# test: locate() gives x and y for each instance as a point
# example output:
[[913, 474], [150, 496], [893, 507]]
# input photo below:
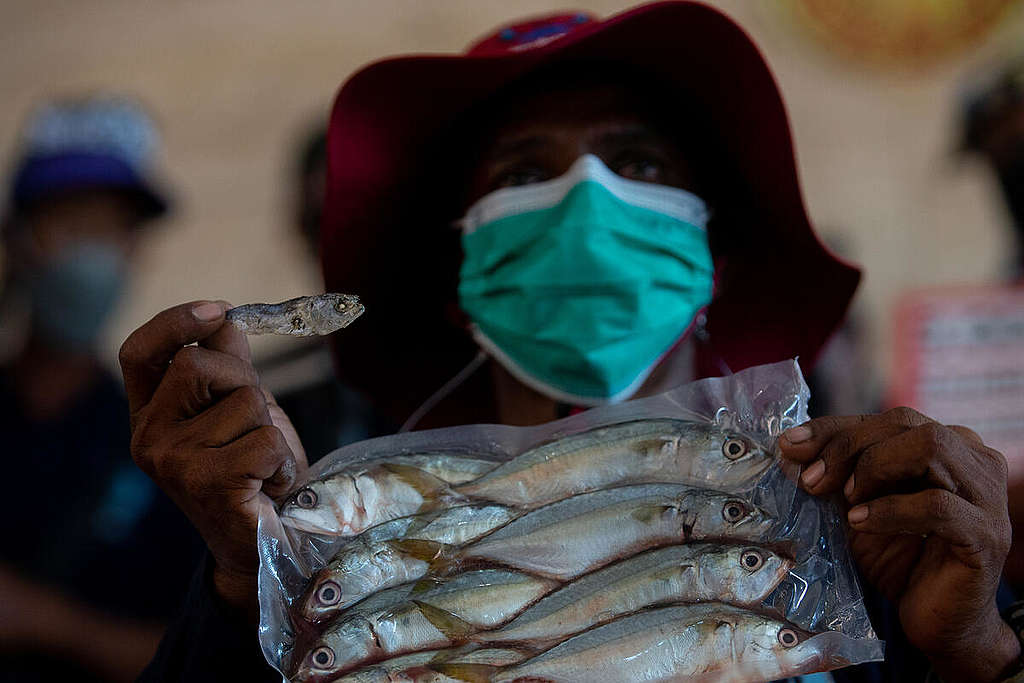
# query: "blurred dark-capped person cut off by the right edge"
[[994, 129]]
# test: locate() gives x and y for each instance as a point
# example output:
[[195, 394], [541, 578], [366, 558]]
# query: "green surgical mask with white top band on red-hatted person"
[[579, 286]]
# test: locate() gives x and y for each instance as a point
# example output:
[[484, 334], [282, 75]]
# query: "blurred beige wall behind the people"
[[234, 82]]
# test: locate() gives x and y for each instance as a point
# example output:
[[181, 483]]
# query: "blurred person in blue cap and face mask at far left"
[[93, 554]]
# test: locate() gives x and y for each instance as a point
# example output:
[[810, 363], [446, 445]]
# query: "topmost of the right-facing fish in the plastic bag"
[[639, 452]]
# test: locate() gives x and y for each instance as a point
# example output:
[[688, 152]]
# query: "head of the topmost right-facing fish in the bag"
[[718, 457]]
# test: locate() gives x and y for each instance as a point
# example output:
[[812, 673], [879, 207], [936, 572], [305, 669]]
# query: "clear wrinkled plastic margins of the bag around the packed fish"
[[821, 594]]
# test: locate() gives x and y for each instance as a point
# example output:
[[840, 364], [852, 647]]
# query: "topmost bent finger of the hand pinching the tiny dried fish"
[[148, 352]]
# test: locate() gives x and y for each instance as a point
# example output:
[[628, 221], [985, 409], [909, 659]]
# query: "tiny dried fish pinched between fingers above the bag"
[[303, 317]]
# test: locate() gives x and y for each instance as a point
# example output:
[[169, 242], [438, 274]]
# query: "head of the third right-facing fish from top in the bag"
[[744, 575]]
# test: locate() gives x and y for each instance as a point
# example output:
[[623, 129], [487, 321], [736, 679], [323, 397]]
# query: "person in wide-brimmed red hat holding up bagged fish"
[[572, 214]]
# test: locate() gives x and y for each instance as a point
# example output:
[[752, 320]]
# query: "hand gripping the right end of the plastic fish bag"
[[929, 528]]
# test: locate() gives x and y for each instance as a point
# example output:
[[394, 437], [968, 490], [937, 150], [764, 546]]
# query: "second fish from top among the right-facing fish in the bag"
[[573, 537]]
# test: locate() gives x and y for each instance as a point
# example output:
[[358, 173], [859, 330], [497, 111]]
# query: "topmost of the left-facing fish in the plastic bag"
[[378, 491]]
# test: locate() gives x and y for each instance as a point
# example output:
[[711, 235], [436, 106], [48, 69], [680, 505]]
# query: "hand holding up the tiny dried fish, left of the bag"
[[208, 436]]
